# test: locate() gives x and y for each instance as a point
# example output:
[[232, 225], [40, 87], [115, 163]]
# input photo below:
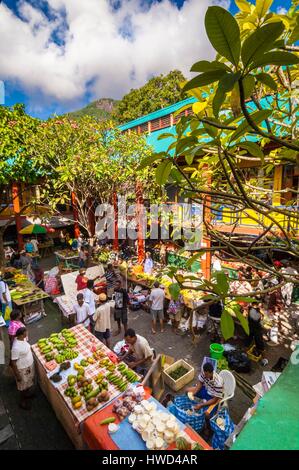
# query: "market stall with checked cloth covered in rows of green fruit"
[[78, 375]]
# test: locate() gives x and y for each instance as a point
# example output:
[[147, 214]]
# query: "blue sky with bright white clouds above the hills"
[[58, 55]]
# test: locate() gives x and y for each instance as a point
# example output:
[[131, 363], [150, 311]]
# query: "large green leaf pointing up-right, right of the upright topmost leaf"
[[260, 41]]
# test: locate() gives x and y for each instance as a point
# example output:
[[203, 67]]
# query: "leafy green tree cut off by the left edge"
[[15, 162]]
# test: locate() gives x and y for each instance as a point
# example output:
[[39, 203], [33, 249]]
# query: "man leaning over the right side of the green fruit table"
[[140, 355]]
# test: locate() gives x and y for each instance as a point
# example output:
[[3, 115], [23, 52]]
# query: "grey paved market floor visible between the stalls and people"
[[40, 429]]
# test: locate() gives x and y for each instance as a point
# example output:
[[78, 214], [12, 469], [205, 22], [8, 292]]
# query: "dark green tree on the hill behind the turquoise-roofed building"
[[157, 93]]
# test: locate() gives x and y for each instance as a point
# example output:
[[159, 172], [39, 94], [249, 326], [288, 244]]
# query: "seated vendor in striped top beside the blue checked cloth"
[[209, 388]]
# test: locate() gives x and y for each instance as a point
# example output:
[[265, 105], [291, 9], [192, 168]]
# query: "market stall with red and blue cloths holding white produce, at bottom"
[[139, 423]]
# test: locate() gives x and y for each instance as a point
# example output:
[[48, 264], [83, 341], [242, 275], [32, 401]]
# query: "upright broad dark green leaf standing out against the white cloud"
[[224, 33]]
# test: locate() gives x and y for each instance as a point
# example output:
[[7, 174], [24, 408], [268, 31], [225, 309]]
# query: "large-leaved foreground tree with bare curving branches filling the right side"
[[247, 109]]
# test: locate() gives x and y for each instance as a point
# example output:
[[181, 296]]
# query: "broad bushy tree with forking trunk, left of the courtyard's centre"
[[90, 159]]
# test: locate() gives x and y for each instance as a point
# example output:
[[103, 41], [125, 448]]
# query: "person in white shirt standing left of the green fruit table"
[[23, 367]]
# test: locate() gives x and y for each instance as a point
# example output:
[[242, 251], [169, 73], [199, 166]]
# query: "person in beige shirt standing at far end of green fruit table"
[[102, 319]]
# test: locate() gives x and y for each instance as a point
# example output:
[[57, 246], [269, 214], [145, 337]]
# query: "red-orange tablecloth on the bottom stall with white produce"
[[97, 437]]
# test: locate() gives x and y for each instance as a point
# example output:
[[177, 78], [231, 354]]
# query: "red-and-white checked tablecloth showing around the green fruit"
[[70, 418]]
